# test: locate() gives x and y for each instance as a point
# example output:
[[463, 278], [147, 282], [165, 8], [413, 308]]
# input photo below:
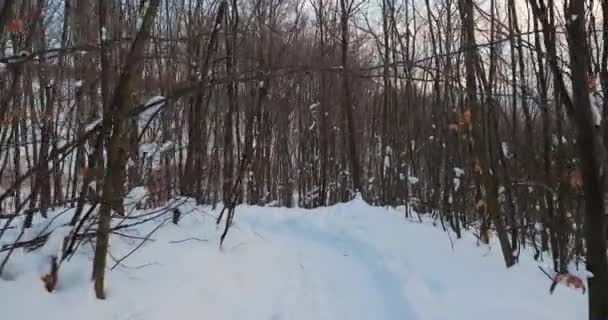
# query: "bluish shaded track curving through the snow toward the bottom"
[[374, 291]]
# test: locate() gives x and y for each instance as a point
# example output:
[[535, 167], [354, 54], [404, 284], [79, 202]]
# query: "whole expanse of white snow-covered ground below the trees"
[[349, 261]]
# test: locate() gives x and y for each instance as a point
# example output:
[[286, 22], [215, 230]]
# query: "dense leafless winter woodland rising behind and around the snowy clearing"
[[486, 115]]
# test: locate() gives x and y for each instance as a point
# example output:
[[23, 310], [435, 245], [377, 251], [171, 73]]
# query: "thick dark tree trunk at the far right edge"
[[593, 158]]
